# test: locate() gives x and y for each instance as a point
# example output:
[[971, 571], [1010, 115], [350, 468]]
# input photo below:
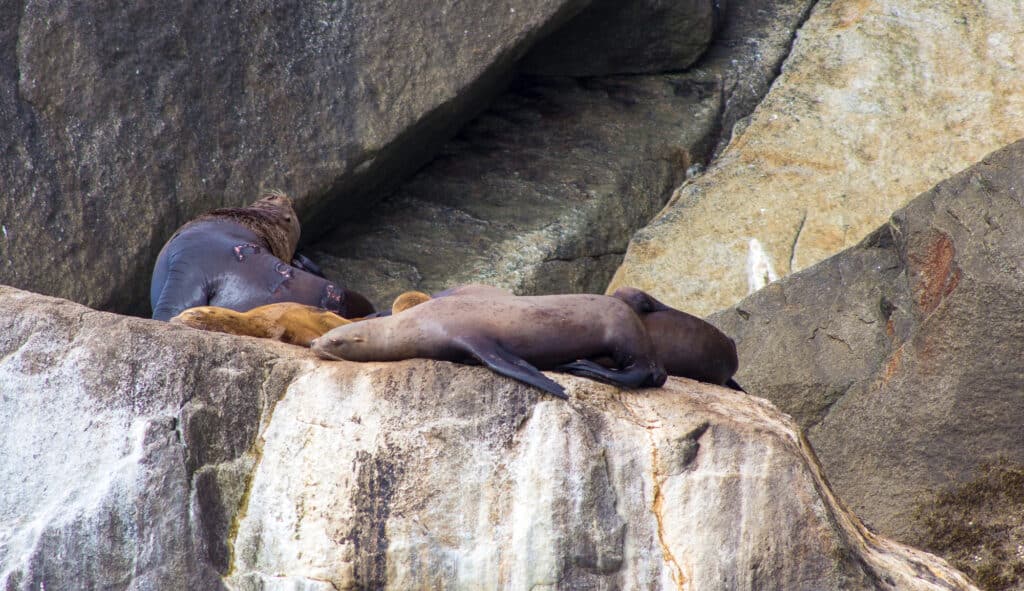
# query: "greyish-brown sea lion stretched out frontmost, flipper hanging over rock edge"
[[515, 336]]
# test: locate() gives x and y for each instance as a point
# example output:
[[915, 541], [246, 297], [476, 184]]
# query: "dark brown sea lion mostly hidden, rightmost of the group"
[[685, 345]]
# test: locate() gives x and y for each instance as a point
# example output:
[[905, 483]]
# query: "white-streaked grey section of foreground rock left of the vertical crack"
[[108, 426]]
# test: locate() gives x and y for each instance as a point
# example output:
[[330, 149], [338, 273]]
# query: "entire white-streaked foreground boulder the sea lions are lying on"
[[141, 455]]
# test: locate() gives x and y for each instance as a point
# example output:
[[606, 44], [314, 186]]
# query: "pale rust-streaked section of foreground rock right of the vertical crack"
[[446, 478]]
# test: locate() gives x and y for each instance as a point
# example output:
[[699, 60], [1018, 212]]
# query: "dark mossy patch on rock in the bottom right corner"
[[979, 526]]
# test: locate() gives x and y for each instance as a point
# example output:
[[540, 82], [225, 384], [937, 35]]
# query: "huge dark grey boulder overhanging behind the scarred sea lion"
[[122, 122]]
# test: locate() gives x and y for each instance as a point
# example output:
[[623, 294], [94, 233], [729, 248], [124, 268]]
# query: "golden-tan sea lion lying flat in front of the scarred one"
[[287, 322]]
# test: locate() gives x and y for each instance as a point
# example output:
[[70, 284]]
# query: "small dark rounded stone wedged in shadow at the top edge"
[[633, 37]]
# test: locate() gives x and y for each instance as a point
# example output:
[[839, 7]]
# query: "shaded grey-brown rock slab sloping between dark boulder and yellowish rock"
[[542, 193]]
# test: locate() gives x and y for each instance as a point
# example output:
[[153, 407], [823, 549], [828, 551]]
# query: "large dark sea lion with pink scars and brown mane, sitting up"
[[235, 259]]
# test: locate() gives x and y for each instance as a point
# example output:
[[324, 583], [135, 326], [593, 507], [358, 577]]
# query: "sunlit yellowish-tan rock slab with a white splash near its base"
[[876, 104]]
